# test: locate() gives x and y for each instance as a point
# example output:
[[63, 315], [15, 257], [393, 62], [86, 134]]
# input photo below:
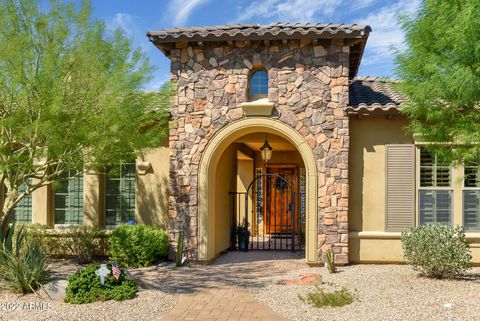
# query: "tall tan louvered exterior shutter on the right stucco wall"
[[400, 187]]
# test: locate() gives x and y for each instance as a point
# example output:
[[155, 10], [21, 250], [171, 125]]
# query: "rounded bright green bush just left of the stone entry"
[[138, 245]]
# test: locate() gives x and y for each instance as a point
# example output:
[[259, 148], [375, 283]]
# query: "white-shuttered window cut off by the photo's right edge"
[[471, 197]]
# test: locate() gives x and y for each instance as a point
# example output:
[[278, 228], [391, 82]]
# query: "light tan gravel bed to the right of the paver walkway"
[[385, 292]]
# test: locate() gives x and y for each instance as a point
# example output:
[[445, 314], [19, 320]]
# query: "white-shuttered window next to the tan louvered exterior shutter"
[[435, 191]]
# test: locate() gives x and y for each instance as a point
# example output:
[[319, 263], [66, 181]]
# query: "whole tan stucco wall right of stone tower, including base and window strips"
[[368, 241]]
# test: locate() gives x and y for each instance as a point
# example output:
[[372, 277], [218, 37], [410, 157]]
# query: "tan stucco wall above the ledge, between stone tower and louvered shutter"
[[369, 136]]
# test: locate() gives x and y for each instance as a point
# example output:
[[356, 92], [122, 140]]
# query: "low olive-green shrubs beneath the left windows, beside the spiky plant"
[[78, 241]]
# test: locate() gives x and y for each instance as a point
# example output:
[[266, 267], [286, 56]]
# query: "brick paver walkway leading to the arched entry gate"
[[219, 292]]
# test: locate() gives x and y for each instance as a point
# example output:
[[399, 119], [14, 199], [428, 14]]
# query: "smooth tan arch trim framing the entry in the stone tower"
[[206, 178]]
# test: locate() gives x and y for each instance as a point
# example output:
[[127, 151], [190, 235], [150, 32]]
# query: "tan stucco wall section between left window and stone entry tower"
[[152, 189]]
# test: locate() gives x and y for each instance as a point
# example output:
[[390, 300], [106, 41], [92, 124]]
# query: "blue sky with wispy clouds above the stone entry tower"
[[138, 17]]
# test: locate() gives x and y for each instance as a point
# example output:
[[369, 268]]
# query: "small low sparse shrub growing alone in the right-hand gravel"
[[320, 298]]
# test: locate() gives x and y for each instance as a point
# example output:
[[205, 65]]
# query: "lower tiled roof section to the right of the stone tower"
[[371, 94]]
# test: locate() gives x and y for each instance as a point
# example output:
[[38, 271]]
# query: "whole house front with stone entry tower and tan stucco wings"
[[271, 130]]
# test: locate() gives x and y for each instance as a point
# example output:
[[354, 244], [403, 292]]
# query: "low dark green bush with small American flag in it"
[[84, 286]]
